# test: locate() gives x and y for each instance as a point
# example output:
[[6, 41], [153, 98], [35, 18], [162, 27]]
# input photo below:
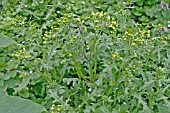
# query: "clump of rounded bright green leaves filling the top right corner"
[[151, 11]]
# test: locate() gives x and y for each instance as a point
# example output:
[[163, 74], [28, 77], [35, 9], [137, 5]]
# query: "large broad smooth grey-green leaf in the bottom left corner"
[[11, 104]]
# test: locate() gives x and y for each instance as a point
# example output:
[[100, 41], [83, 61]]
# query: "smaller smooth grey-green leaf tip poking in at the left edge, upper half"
[[5, 41]]
